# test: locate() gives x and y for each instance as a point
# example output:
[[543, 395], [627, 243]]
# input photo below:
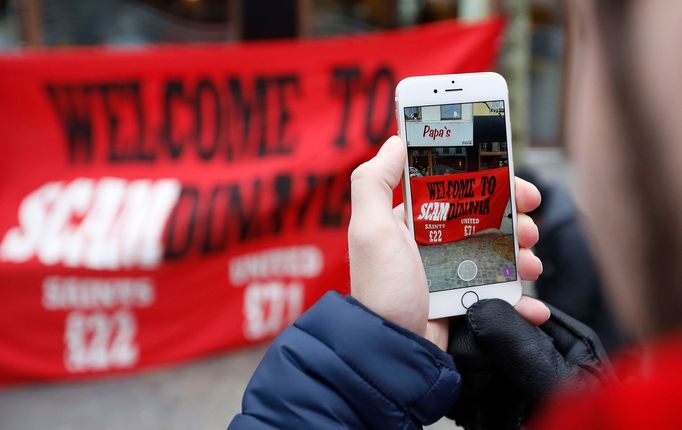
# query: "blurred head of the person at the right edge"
[[624, 131]]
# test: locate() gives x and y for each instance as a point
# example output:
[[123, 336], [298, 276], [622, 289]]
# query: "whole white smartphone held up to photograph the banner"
[[458, 187]]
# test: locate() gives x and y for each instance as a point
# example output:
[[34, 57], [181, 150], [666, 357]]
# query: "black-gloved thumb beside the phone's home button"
[[518, 349]]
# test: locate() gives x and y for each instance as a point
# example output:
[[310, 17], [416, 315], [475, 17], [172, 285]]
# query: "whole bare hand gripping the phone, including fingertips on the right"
[[386, 270]]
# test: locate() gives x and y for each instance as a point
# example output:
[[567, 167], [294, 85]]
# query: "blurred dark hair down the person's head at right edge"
[[662, 244]]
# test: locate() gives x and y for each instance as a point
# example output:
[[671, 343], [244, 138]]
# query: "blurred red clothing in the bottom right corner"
[[648, 398]]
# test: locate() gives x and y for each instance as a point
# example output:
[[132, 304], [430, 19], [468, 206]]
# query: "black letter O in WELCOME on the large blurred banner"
[[206, 98]]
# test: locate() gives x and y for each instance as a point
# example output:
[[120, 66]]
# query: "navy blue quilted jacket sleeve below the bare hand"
[[342, 366]]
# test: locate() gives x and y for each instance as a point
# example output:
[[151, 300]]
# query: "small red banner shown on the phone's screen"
[[447, 208]]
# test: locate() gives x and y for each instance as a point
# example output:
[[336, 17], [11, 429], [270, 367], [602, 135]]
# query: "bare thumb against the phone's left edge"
[[372, 182]]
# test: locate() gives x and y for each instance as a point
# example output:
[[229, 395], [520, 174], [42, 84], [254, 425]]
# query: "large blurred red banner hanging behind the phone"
[[164, 203]]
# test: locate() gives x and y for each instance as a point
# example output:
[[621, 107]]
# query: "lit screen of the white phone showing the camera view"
[[461, 193]]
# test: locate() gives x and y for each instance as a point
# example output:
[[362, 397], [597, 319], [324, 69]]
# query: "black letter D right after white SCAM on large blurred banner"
[[183, 218]]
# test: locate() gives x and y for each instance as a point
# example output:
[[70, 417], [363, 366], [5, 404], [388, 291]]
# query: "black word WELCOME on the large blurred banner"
[[204, 116]]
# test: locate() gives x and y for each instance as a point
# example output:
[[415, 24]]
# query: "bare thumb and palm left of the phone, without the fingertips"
[[386, 272]]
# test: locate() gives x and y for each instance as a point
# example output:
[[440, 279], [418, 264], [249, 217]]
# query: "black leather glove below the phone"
[[509, 366]]
